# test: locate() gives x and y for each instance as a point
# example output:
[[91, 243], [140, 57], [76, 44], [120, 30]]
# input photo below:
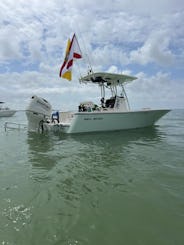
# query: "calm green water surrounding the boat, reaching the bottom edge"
[[108, 188]]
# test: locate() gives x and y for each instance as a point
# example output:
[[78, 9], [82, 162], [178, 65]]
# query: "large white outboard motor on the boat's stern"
[[38, 111]]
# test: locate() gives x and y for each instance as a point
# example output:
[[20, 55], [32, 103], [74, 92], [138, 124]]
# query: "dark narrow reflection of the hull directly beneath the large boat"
[[116, 141]]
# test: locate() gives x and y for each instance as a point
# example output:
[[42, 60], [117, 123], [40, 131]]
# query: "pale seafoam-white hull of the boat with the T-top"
[[84, 122]]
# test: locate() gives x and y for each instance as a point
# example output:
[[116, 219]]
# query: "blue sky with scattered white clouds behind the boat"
[[138, 37]]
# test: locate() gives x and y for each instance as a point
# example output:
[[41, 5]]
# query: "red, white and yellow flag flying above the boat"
[[72, 52]]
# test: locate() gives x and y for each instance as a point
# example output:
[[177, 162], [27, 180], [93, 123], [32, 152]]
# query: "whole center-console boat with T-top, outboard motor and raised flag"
[[112, 113]]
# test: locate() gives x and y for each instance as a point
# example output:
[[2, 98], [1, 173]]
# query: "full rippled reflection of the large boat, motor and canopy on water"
[[70, 159]]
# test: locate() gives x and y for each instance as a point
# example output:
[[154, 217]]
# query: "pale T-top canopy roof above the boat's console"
[[109, 78]]
